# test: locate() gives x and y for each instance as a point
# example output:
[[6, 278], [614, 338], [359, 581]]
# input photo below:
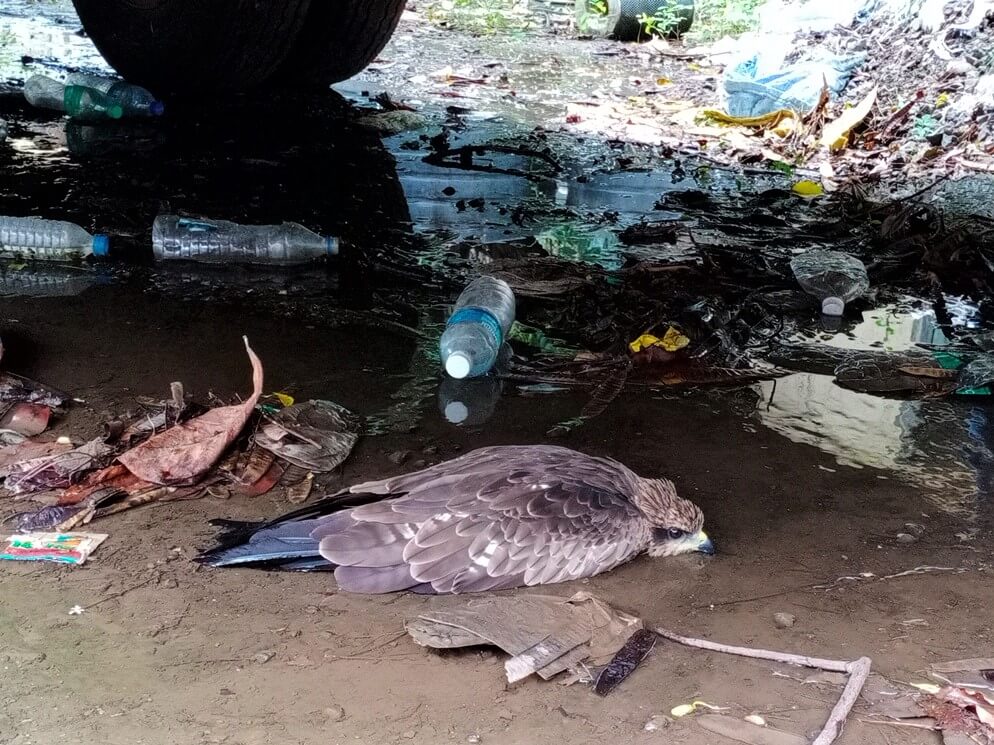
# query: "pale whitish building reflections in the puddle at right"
[[944, 446]]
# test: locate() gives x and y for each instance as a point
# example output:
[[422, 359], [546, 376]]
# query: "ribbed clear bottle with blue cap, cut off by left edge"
[[48, 240]]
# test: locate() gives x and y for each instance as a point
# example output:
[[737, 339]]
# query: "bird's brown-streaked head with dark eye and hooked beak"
[[677, 524]]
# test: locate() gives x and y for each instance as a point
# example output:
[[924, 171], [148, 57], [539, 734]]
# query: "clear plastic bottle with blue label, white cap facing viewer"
[[477, 328]]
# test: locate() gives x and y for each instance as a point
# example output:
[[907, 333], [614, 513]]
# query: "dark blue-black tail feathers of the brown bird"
[[283, 543]]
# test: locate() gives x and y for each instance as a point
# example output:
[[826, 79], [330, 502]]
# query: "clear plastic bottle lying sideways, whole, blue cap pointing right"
[[223, 242]]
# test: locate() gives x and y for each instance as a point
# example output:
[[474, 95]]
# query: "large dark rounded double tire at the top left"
[[226, 46]]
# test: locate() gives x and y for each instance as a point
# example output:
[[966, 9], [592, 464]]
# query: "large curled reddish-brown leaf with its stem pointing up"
[[187, 451]]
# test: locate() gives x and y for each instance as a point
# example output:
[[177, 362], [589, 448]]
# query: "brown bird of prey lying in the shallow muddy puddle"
[[495, 518]]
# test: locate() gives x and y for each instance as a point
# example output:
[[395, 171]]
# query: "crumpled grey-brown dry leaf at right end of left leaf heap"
[[316, 435]]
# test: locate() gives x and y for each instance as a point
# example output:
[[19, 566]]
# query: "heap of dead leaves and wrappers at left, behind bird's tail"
[[169, 450]]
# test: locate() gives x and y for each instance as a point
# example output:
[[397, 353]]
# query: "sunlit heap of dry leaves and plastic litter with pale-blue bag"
[[845, 93]]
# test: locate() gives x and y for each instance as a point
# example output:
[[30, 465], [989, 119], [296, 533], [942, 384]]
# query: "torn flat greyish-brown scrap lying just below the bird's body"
[[545, 635]]
